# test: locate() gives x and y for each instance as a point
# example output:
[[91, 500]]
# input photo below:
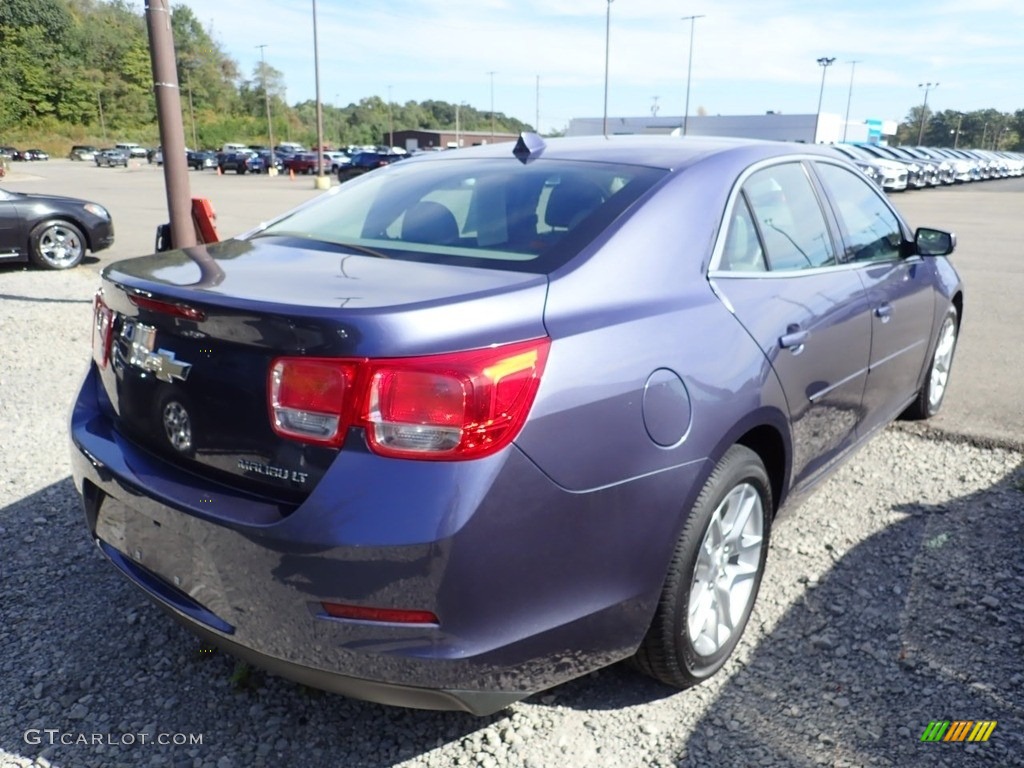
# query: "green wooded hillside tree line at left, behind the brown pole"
[[79, 72]]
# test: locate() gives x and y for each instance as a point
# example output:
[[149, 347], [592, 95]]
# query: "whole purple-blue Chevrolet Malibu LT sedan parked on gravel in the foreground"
[[485, 421]]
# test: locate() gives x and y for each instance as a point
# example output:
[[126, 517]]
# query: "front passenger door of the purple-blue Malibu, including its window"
[[900, 291]]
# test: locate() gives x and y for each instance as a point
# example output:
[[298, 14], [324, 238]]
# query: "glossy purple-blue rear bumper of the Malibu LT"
[[533, 585]]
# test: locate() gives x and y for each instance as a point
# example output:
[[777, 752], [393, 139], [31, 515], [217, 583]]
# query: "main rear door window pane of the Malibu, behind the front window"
[[789, 219]]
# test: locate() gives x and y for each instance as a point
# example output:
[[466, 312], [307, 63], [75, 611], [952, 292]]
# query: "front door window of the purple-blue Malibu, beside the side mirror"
[[871, 231]]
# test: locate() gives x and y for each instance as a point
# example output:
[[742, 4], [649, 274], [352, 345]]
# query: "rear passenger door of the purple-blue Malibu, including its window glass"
[[781, 276]]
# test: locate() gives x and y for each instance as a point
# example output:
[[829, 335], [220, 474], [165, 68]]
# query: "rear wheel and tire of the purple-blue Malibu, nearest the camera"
[[714, 576]]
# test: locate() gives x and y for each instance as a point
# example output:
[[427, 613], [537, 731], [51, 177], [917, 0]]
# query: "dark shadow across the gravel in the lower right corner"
[[923, 622]]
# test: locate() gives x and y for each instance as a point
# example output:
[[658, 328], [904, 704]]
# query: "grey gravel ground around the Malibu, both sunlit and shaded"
[[893, 598]]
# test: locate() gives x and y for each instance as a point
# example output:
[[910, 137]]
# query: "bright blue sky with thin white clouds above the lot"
[[544, 61]]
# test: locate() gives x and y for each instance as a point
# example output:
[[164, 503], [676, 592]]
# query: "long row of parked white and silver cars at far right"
[[900, 168]]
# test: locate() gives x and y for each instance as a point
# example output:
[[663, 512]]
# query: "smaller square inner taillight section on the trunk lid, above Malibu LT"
[[311, 399]]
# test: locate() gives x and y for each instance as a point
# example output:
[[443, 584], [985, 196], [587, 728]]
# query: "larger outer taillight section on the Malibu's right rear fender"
[[458, 406]]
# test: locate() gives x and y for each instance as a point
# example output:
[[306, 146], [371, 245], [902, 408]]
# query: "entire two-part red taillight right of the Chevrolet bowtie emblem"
[[446, 407]]
